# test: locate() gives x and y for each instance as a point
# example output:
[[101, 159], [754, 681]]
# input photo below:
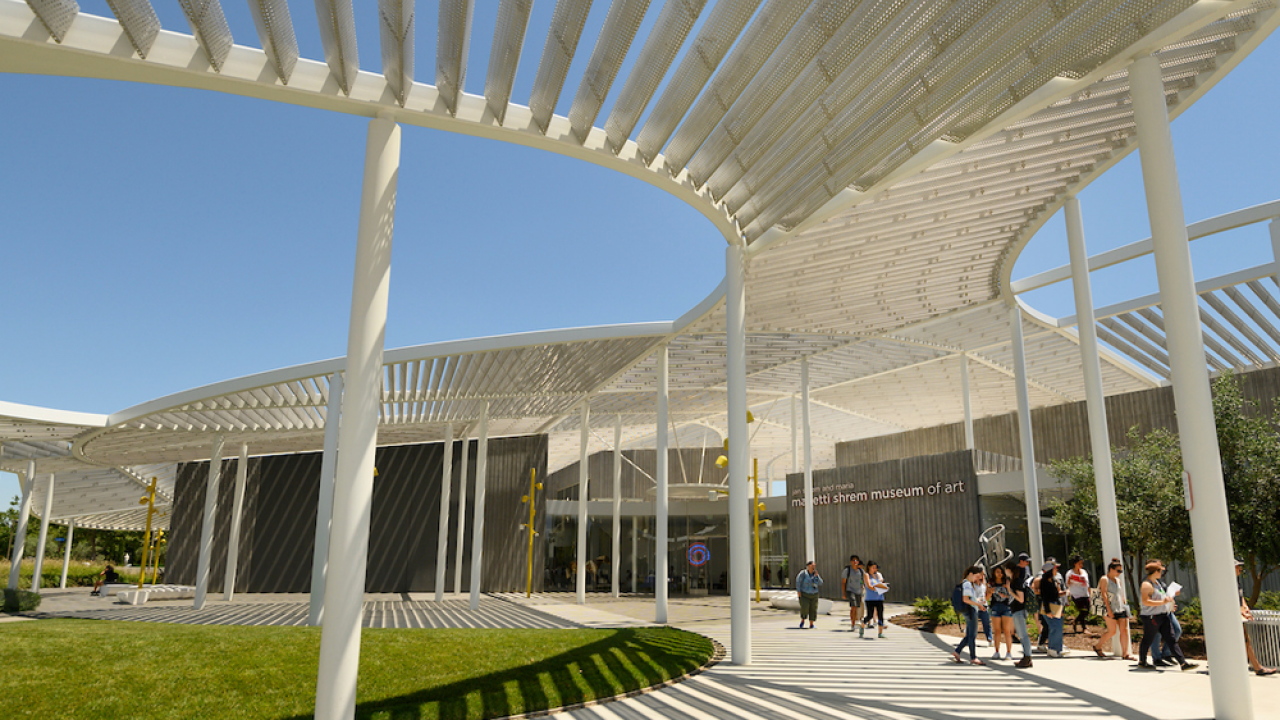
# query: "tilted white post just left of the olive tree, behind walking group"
[[1100, 443]]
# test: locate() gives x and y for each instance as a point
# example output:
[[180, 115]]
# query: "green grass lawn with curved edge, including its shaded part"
[[108, 669]]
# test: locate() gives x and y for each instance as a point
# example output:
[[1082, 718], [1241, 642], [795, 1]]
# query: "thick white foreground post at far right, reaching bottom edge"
[[1203, 464]]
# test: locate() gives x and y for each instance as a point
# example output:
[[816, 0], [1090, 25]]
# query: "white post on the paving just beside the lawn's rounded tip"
[[740, 496]]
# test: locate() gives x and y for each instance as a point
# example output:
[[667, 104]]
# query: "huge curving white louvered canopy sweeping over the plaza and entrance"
[[885, 162]]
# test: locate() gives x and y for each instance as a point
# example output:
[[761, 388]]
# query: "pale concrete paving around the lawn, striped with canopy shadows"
[[801, 675]]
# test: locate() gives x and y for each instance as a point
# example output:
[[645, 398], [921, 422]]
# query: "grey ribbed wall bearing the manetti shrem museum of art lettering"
[[922, 544]]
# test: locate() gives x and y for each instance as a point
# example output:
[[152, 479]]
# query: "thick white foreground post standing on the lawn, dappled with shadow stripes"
[[358, 434]]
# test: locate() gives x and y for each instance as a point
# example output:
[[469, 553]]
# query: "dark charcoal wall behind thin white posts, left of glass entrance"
[[281, 499]]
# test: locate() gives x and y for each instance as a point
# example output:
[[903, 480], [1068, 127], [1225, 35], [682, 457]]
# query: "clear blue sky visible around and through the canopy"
[[161, 239]]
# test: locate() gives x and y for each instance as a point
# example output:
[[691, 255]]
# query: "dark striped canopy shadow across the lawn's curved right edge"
[[629, 660]]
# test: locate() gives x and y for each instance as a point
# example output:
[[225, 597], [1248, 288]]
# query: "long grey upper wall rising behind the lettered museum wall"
[[1060, 431]]
